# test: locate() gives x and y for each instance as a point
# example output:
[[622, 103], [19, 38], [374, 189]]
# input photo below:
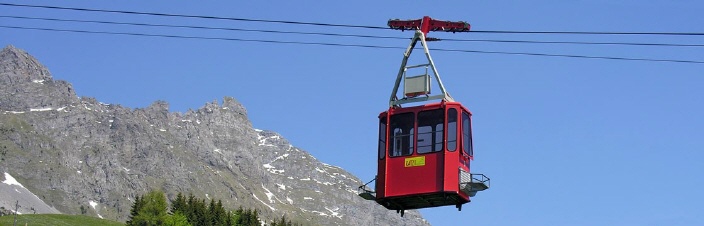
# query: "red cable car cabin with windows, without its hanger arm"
[[424, 153]]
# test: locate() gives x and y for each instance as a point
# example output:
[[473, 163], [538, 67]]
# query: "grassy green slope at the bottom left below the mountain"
[[56, 220]]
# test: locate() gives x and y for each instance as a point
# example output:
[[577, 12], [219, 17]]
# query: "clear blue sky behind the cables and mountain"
[[566, 141]]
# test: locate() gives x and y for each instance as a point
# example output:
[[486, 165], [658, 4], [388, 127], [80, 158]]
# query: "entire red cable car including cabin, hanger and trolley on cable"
[[424, 151]]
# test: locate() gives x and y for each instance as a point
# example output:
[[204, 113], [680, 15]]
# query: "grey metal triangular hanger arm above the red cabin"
[[394, 101]]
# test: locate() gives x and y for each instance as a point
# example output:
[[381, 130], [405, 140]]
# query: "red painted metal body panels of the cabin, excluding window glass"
[[436, 183]]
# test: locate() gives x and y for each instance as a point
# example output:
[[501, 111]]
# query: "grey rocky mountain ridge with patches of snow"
[[74, 152]]
